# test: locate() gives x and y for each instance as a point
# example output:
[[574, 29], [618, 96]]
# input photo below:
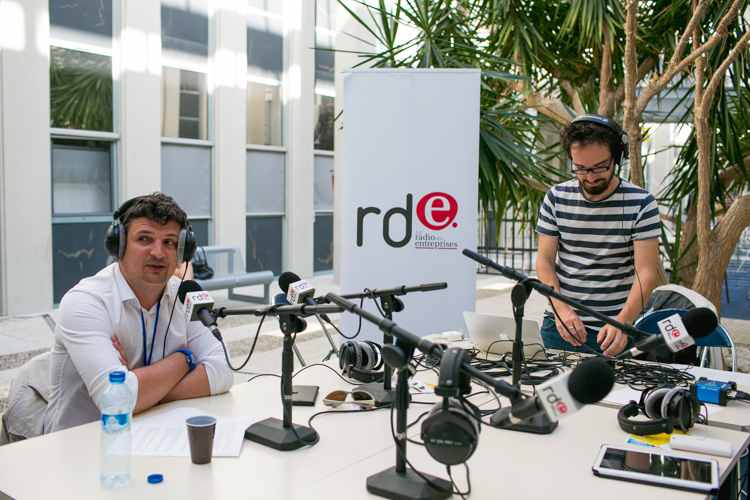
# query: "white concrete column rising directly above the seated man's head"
[[138, 113]]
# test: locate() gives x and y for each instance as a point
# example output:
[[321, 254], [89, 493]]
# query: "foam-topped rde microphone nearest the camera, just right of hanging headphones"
[[565, 394]]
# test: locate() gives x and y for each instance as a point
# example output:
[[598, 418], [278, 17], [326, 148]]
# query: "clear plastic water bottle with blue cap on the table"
[[114, 463]]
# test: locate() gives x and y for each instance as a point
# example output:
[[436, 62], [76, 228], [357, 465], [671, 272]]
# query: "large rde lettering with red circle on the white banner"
[[435, 211]]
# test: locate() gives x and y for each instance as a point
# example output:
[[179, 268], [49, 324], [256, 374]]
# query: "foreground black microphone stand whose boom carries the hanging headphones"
[[398, 482]]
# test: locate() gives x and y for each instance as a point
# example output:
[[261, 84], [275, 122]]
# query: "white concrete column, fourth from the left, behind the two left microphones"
[[299, 99]]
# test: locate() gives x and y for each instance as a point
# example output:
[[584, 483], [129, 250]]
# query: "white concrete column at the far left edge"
[[25, 169]]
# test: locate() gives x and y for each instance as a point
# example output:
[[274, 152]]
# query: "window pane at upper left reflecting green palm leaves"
[[80, 90]]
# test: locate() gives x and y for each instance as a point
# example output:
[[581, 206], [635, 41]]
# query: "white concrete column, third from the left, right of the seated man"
[[229, 76]]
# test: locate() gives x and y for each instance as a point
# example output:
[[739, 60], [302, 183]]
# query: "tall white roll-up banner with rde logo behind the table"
[[409, 192]]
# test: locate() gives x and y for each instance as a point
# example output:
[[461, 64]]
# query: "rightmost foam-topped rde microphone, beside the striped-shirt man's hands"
[[677, 333]]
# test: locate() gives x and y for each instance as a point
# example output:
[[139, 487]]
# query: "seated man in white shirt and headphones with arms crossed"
[[118, 320]]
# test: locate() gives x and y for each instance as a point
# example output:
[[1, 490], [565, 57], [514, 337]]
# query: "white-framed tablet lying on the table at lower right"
[[658, 467]]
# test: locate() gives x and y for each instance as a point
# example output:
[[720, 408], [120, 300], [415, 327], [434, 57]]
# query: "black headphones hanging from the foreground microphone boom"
[[451, 430]]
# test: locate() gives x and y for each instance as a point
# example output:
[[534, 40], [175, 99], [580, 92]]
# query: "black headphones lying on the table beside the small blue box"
[[669, 409]]
